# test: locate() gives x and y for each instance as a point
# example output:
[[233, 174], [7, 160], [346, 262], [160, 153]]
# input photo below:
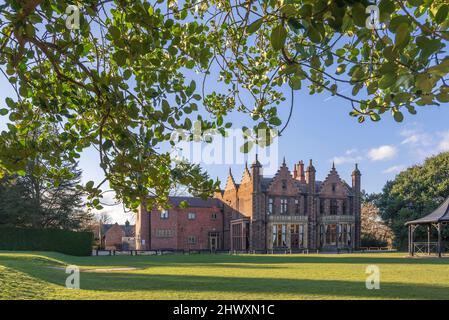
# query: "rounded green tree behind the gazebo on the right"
[[413, 194]]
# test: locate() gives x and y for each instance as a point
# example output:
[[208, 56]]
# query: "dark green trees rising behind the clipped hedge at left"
[[39, 200]]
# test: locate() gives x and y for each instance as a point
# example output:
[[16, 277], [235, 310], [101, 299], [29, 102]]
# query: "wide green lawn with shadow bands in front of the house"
[[40, 276]]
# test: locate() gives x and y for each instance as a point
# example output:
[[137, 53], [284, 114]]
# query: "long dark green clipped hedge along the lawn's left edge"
[[63, 241]]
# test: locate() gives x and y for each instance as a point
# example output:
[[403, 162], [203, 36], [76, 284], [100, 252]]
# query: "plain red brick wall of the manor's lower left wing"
[[179, 228]]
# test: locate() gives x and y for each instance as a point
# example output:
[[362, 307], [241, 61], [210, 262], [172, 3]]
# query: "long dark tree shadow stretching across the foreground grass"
[[266, 287]]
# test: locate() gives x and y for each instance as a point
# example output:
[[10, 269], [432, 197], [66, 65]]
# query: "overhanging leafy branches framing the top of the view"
[[118, 83]]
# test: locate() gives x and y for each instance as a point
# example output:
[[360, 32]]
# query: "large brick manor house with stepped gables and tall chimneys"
[[288, 211]]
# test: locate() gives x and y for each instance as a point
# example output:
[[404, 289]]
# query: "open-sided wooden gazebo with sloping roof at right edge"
[[436, 219]]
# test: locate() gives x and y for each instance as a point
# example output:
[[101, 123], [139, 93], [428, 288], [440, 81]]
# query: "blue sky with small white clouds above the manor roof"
[[321, 129]]
